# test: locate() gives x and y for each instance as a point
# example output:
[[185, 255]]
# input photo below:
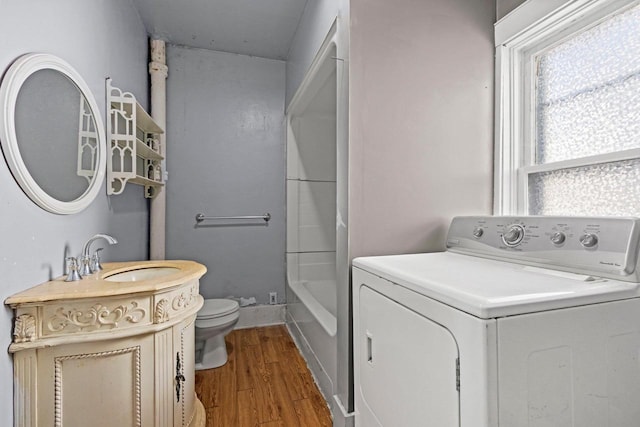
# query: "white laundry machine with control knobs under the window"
[[523, 321]]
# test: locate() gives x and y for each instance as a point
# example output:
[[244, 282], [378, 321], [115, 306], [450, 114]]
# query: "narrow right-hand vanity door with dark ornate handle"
[[184, 363]]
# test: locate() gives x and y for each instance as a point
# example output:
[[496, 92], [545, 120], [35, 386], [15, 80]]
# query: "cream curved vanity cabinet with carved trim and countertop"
[[104, 353]]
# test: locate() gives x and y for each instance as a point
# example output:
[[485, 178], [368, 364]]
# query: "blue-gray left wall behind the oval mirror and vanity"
[[98, 38]]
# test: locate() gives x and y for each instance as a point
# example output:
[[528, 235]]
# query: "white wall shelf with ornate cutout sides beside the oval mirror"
[[134, 145]]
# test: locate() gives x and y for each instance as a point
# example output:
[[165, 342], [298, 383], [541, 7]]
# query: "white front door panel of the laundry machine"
[[407, 367]]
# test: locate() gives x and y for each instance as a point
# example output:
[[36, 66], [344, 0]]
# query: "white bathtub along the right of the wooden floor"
[[312, 322]]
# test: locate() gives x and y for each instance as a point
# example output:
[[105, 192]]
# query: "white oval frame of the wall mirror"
[[12, 82]]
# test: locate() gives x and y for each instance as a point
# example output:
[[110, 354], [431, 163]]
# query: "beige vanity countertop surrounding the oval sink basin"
[[96, 285]]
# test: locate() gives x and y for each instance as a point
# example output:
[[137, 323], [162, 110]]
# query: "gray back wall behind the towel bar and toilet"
[[225, 121]]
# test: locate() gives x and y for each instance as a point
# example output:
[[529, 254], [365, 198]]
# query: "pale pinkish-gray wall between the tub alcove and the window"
[[421, 114]]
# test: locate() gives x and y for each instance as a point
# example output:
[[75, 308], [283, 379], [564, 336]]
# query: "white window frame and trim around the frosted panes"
[[532, 28]]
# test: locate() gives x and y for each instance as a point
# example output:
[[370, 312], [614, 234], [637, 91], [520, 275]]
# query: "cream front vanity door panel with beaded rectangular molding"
[[102, 384]]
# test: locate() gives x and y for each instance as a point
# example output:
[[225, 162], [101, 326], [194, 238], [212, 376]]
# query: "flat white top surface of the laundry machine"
[[489, 288]]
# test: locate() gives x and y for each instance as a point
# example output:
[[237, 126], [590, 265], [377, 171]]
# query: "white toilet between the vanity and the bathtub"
[[214, 321]]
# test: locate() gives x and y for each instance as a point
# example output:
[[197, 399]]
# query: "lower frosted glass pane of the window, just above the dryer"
[[604, 189]]
